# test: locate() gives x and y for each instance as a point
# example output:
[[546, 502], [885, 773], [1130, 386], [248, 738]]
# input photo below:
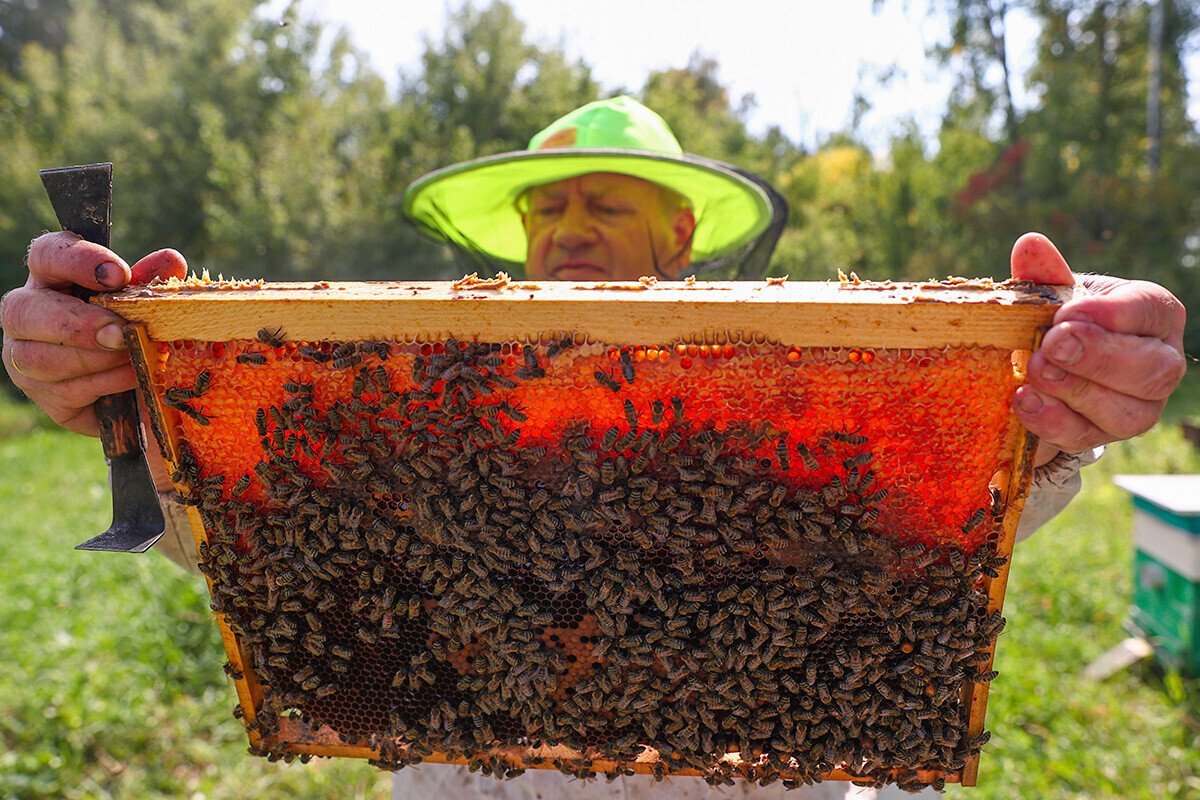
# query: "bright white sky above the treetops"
[[801, 59]]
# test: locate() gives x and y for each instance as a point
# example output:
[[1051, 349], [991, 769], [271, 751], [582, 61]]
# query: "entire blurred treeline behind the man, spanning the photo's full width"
[[263, 149]]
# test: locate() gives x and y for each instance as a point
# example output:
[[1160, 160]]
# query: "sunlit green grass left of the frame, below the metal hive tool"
[[112, 685]]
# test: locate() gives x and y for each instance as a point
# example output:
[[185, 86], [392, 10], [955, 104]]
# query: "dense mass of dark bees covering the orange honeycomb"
[[410, 570]]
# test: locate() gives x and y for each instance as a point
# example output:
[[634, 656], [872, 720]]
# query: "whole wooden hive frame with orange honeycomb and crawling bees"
[[716, 530]]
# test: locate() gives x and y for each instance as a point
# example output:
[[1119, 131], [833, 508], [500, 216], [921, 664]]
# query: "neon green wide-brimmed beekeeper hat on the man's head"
[[473, 204]]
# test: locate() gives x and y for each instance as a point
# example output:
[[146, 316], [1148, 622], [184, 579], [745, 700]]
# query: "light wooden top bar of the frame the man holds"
[[802, 315]]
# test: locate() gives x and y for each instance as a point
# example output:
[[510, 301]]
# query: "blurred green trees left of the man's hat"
[[235, 140]]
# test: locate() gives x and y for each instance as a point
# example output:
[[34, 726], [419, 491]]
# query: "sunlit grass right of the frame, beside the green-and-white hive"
[[1057, 735]]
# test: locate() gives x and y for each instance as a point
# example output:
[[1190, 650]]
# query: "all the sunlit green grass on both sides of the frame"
[[113, 684]]
